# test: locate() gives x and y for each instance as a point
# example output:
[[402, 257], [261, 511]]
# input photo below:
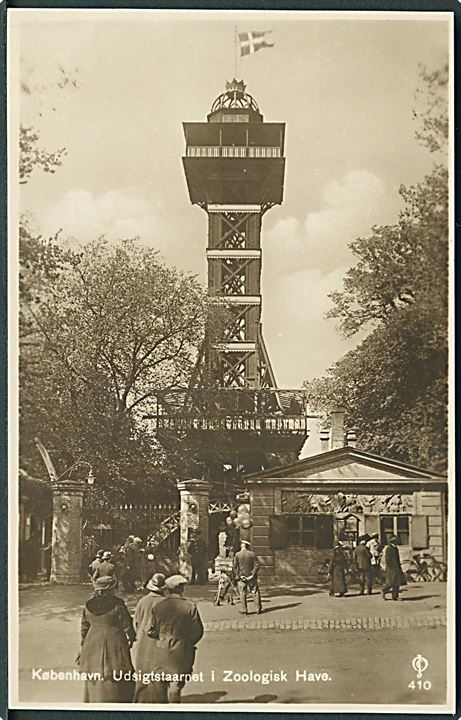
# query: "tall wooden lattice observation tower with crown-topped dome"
[[234, 166]]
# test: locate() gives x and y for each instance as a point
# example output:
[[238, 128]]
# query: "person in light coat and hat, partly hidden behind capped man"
[[145, 645]]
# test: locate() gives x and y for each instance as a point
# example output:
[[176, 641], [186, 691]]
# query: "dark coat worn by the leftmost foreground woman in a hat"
[[106, 634]]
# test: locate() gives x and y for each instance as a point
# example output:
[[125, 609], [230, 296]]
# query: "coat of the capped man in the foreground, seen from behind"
[[177, 627]]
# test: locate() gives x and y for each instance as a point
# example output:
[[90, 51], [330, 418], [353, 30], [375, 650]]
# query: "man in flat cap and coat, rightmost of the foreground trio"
[[177, 627]]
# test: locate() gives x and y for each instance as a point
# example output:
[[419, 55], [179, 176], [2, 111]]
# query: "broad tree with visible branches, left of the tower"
[[106, 328]]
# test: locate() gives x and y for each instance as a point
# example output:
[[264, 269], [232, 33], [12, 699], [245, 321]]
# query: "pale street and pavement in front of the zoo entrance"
[[335, 639]]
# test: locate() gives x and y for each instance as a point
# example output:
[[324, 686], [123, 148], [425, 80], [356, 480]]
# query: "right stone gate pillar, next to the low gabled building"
[[194, 497]]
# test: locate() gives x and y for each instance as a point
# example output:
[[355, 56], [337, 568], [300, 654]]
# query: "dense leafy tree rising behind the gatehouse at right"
[[394, 384]]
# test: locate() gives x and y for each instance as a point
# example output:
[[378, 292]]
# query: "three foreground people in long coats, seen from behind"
[[163, 633]]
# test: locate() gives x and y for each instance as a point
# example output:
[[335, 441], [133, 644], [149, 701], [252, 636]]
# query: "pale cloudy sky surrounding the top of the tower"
[[343, 84]]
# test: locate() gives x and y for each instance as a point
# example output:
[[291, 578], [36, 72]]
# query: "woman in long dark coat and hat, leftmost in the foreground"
[[107, 634]]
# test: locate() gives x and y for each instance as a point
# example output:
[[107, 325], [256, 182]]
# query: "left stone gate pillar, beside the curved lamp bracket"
[[66, 539]]
